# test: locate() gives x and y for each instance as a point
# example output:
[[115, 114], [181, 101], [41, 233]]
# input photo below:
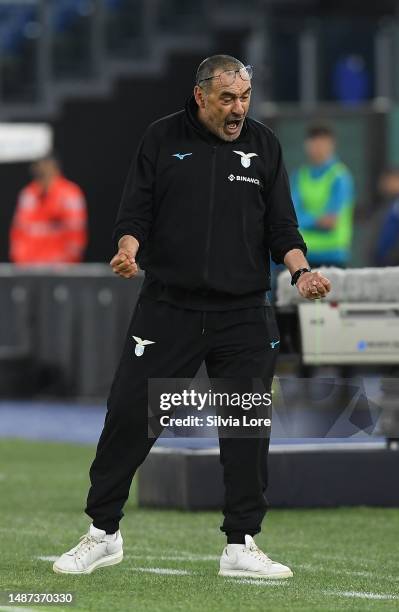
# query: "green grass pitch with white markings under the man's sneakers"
[[344, 559]]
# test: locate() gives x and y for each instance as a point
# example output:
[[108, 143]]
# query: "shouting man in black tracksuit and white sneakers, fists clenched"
[[206, 201]]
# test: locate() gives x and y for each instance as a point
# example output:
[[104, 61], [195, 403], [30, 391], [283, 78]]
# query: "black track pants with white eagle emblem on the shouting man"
[[235, 343]]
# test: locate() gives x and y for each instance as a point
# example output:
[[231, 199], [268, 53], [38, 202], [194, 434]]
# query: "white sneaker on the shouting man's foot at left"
[[95, 549]]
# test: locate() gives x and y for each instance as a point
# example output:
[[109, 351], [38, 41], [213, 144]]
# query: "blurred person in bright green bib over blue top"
[[323, 195]]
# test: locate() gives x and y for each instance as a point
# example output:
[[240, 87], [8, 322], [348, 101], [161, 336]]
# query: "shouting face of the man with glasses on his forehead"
[[223, 109]]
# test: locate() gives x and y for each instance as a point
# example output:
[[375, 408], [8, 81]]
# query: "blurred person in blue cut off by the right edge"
[[387, 243]]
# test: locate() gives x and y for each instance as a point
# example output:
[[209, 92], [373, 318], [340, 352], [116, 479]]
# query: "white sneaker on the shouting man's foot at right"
[[247, 560]]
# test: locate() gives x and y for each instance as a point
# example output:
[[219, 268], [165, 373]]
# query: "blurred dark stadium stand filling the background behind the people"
[[100, 70]]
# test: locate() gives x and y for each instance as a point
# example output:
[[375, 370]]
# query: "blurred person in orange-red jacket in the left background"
[[50, 221]]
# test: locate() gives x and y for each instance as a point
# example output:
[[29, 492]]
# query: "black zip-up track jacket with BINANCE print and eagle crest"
[[208, 213]]
